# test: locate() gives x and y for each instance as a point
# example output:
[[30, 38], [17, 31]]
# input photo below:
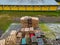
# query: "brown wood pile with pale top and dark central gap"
[[29, 22]]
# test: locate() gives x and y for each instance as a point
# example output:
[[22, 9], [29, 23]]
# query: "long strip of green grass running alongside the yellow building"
[[31, 13]]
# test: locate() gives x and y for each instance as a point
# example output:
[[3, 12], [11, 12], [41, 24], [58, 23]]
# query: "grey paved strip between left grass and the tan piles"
[[13, 26]]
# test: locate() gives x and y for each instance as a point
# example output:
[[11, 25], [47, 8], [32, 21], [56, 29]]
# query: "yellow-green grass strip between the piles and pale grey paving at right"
[[47, 31]]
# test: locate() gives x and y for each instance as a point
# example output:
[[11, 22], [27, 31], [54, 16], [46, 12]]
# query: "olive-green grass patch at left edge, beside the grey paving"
[[4, 23]]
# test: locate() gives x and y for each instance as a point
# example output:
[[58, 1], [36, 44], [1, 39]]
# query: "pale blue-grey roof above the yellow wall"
[[28, 2]]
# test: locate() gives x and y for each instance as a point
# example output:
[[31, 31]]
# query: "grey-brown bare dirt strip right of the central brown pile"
[[49, 19]]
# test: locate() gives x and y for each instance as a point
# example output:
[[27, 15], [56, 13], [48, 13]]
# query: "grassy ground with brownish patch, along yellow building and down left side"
[[8, 17]]
